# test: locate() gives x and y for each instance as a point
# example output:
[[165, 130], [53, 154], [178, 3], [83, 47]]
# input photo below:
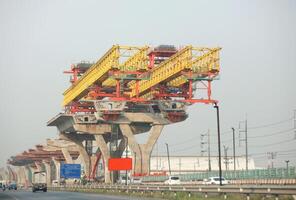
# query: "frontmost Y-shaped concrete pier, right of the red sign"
[[142, 151]]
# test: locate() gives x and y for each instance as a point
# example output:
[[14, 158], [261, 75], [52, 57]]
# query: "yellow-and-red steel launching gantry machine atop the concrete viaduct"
[[144, 75]]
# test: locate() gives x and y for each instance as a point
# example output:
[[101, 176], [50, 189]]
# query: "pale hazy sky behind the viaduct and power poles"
[[40, 39]]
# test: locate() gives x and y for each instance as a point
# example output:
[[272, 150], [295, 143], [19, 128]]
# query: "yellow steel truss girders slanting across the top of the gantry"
[[199, 61]]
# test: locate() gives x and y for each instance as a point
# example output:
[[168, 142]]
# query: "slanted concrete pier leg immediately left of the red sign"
[[102, 144]]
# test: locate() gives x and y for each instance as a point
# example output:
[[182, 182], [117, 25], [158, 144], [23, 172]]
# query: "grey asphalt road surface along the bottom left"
[[28, 195]]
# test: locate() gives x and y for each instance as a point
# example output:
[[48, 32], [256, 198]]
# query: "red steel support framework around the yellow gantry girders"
[[186, 92]]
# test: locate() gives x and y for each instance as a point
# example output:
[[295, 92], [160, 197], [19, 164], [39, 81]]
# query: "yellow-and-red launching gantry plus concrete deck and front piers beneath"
[[131, 90]]
